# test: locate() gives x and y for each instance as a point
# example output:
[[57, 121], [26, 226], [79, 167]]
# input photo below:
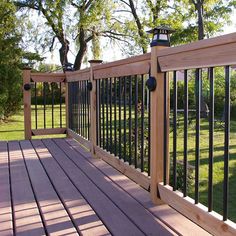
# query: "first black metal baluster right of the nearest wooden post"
[[175, 132]]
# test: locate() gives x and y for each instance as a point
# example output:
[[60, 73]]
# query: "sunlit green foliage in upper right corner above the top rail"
[[215, 15]]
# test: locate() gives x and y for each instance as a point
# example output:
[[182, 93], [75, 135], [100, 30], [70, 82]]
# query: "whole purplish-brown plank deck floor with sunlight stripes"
[[54, 187]]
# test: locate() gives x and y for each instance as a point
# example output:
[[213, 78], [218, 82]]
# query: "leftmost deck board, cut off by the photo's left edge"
[[6, 226]]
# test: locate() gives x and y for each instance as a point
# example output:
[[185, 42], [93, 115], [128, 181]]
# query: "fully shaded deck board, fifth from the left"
[[116, 221]]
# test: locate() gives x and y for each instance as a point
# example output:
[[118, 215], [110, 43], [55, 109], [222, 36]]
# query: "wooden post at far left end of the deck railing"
[[27, 102]]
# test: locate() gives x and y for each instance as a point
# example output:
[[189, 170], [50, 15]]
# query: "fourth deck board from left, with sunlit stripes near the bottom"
[[86, 220]]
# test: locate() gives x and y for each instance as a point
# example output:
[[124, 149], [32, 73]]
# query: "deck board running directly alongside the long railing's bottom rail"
[[166, 214]]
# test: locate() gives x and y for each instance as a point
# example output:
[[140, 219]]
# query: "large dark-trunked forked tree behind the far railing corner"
[[86, 22]]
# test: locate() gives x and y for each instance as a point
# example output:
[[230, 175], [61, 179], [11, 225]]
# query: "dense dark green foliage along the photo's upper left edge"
[[10, 59]]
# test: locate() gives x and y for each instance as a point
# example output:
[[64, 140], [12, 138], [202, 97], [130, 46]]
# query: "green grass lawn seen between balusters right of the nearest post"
[[218, 166]]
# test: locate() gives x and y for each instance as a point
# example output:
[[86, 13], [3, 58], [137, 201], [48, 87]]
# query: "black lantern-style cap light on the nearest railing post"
[[161, 36]]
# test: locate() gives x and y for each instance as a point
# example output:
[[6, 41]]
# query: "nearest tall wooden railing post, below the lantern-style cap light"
[[157, 127]]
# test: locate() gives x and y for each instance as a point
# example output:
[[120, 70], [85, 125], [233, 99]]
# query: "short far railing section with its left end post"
[[44, 103]]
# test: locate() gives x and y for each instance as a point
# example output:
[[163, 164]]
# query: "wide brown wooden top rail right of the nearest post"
[[219, 51]]
